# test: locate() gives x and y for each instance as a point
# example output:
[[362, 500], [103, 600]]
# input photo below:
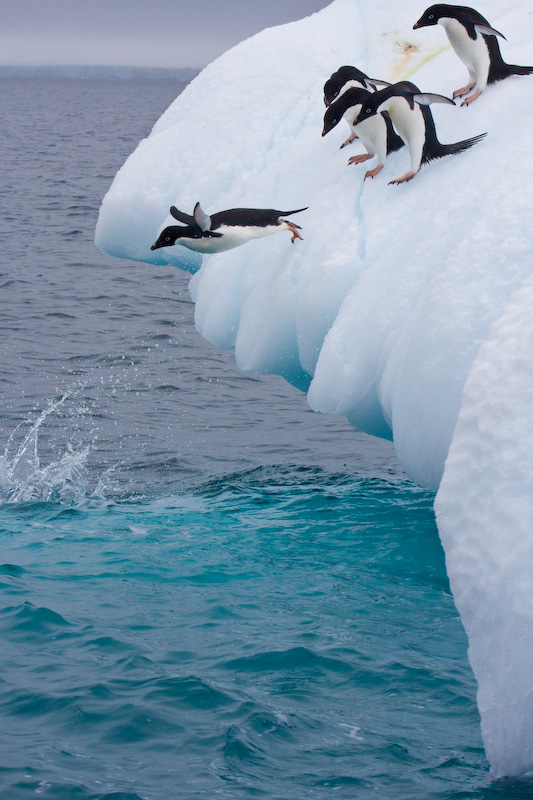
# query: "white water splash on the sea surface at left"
[[24, 479]]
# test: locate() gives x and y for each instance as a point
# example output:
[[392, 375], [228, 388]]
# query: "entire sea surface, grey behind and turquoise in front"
[[207, 590]]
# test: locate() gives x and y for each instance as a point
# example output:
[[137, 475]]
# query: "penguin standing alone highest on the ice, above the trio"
[[475, 42]]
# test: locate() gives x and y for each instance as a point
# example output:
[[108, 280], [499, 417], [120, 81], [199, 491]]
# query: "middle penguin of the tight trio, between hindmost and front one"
[[376, 133]]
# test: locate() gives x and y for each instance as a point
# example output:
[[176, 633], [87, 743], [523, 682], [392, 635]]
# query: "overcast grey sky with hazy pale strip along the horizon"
[[156, 33]]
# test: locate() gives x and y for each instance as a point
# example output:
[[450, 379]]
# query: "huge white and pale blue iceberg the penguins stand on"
[[406, 308]]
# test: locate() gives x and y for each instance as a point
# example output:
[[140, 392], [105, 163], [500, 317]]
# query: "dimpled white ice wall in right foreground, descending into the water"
[[485, 516]]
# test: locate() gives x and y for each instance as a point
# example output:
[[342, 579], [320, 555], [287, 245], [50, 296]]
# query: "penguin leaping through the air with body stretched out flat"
[[226, 229]]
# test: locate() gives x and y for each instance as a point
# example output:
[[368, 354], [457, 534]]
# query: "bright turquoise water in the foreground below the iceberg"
[[275, 633]]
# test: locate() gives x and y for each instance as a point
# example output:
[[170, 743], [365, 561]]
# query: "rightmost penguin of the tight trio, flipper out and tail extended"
[[413, 120]]
